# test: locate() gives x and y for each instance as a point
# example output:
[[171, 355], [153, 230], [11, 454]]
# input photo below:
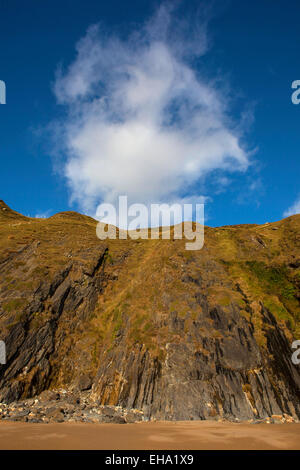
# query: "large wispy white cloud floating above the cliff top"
[[140, 120]]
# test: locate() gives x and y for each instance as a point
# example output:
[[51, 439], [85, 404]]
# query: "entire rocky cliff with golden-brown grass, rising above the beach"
[[146, 324]]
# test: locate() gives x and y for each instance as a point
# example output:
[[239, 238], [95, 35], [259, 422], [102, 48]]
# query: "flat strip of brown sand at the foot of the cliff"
[[201, 435]]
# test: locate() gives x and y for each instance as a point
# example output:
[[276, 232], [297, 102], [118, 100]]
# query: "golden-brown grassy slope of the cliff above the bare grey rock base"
[[94, 295]]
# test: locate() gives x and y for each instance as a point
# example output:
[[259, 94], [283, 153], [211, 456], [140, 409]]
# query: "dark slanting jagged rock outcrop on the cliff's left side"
[[30, 345]]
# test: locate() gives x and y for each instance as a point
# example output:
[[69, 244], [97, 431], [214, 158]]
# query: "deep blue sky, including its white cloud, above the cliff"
[[247, 60]]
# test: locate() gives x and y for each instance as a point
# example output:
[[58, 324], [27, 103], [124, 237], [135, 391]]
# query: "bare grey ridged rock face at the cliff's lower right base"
[[227, 377]]
